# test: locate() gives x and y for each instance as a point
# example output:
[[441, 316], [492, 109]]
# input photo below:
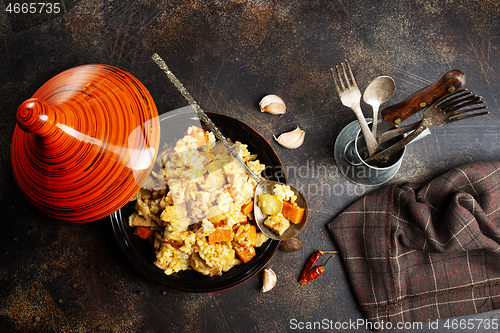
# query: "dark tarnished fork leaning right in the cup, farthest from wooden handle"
[[442, 112]]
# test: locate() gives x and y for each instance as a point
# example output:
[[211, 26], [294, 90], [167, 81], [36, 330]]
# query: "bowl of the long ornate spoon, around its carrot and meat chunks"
[[266, 187]]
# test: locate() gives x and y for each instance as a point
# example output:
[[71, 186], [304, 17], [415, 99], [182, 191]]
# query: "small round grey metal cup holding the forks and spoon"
[[346, 151]]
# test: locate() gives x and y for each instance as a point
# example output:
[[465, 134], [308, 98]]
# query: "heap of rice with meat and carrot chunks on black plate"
[[198, 202]]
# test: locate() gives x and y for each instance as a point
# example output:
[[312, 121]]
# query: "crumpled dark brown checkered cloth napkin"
[[415, 253]]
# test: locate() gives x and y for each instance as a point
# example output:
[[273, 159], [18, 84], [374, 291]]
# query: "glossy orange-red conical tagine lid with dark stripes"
[[85, 143]]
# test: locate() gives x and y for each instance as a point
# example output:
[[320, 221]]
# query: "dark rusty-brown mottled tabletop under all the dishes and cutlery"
[[57, 277]]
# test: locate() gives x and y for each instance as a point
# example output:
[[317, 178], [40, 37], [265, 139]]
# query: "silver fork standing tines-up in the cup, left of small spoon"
[[350, 96]]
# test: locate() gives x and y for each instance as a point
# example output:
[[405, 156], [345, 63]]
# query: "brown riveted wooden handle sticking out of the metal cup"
[[421, 99]]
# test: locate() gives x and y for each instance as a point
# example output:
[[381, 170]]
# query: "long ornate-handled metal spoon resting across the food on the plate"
[[263, 186]]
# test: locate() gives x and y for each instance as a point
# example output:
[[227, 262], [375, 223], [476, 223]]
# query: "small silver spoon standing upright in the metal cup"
[[377, 93]]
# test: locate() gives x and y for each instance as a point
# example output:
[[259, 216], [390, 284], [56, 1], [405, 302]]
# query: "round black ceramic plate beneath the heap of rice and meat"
[[139, 252]]
